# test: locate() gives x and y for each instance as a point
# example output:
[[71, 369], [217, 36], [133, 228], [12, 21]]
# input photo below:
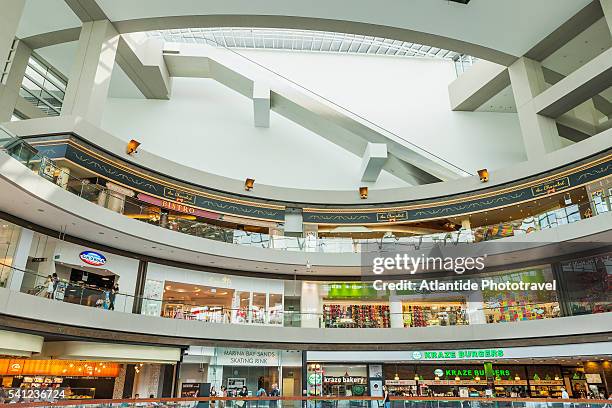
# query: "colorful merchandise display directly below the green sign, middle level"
[[356, 316]]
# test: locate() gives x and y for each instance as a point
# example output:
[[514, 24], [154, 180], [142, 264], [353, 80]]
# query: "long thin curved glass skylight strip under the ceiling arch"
[[301, 40]]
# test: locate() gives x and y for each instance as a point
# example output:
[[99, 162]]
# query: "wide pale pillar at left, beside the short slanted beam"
[[91, 74]]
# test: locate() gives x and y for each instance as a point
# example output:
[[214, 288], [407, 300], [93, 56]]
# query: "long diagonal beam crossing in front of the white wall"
[[330, 121]]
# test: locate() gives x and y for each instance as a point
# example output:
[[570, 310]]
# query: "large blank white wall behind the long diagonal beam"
[[207, 126]]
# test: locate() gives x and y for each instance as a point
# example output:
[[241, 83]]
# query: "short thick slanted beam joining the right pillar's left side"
[[477, 85]]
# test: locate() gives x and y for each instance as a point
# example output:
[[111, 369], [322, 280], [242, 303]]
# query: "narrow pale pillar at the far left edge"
[[11, 81]]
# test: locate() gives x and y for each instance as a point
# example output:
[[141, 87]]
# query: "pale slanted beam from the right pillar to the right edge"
[[579, 86]]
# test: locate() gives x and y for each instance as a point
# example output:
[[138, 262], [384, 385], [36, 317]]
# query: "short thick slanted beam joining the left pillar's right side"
[[141, 58]]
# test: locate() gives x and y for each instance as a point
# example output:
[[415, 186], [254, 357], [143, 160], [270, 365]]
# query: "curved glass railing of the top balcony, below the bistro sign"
[[572, 212]]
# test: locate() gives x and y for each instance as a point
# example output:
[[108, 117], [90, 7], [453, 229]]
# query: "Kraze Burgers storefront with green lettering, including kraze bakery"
[[502, 372]]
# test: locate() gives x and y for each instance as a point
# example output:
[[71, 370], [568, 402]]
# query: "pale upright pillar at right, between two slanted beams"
[[540, 135]]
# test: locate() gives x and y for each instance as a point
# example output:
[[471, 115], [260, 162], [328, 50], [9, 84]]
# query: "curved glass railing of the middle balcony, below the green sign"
[[80, 293]]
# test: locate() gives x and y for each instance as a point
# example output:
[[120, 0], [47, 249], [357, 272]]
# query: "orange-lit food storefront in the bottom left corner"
[[68, 379]]
